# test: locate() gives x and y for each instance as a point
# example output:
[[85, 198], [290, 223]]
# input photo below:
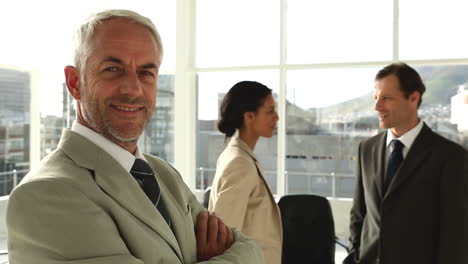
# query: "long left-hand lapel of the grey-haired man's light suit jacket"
[[116, 182]]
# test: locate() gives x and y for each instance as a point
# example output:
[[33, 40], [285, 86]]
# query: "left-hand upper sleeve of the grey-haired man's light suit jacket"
[[52, 222]]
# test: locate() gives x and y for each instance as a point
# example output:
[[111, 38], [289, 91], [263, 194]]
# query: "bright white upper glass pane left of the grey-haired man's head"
[[41, 39]]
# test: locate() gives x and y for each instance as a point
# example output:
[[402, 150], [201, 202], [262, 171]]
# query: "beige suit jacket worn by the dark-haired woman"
[[241, 196]]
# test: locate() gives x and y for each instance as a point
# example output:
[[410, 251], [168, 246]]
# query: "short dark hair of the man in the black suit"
[[408, 77]]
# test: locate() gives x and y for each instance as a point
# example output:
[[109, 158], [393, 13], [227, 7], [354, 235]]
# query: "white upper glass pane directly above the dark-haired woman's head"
[[237, 33]]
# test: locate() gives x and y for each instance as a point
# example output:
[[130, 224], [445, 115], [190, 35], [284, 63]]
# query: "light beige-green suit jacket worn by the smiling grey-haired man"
[[81, 206]]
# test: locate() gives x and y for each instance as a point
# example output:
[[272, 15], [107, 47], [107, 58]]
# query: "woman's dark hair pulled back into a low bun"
[[245, 96]]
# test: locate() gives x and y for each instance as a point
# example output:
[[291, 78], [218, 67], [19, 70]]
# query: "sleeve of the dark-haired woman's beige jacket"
[[237, 179]]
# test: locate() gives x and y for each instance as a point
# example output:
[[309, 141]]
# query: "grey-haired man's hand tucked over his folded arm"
[[213, 236]]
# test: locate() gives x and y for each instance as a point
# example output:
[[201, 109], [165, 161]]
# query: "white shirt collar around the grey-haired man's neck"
[[122, 156]]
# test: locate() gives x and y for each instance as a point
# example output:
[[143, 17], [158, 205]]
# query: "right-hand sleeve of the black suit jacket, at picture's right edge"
[[453, 204]]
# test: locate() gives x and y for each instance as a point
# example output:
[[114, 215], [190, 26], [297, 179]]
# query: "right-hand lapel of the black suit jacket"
[[415, 157]]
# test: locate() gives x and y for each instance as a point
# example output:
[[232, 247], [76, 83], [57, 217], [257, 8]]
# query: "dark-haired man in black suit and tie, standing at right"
[[410, 199]]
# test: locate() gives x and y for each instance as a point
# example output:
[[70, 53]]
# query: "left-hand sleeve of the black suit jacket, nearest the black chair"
[[358, 212]]
